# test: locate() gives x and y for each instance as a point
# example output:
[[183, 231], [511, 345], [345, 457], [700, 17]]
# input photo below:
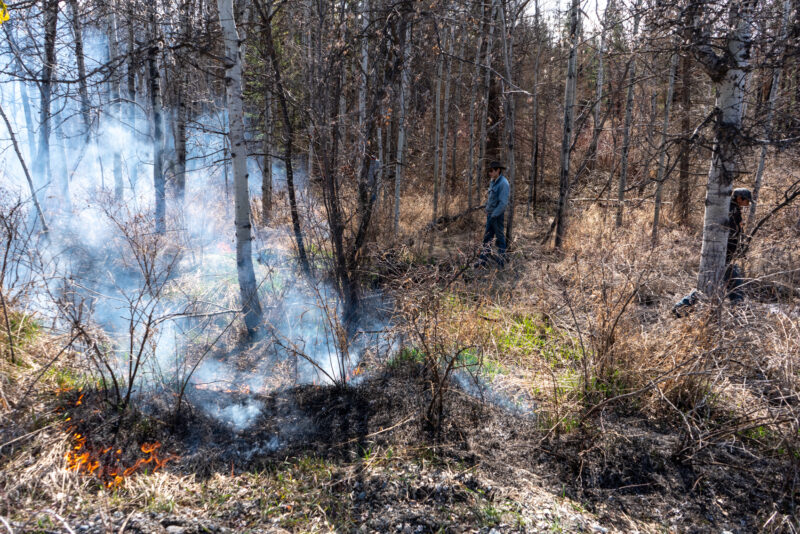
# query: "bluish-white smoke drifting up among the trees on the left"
[[165, 306]]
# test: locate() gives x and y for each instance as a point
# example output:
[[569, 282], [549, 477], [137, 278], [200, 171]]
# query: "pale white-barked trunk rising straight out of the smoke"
[[233, 82]]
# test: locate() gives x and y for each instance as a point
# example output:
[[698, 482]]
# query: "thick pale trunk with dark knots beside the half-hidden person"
[[729, 76]]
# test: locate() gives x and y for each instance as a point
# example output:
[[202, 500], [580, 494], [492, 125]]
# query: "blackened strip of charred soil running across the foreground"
[[616, 465]]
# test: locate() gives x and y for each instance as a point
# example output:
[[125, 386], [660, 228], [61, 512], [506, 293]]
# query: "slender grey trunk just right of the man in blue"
[[569, 119]]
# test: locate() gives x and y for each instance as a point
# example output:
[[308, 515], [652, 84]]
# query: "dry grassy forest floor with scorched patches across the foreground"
[[532, 445]]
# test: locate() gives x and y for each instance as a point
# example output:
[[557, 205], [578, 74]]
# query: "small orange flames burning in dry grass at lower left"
[[107, 465]]
